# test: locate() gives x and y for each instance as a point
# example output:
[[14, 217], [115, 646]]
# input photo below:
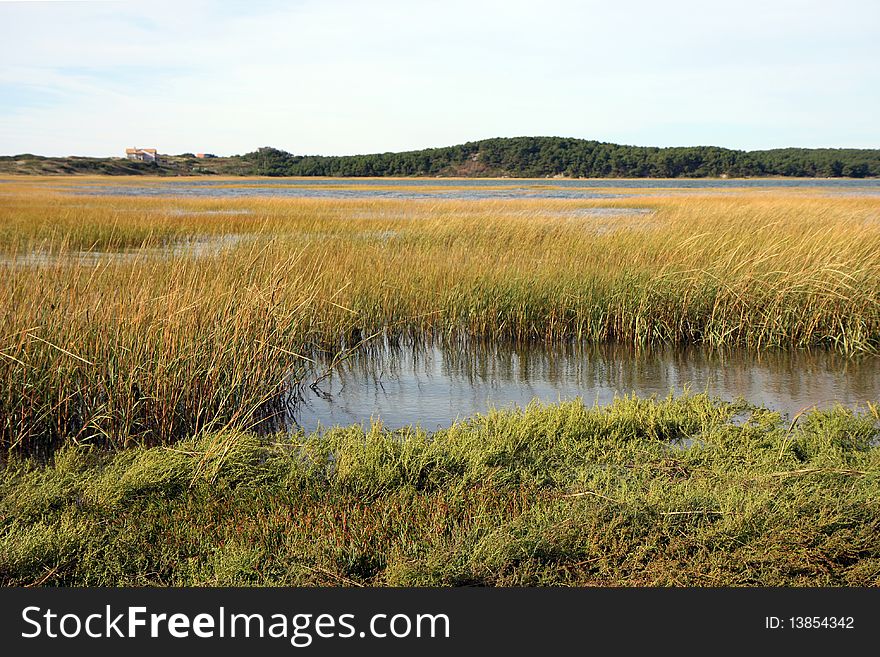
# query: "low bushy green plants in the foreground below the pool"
[[559, 494]]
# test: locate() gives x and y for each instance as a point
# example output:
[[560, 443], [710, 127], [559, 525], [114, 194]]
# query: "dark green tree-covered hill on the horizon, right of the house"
[[530, 157]]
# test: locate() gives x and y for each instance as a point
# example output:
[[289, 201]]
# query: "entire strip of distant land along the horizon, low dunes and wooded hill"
[[516, 157]]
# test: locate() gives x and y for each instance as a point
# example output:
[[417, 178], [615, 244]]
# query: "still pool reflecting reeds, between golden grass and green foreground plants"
[[433, 386]]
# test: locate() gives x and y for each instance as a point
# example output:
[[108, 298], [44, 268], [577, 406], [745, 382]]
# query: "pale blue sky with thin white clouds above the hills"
[[337, 77]]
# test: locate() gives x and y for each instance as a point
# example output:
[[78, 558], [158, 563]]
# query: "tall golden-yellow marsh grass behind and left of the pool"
[[147, 350]]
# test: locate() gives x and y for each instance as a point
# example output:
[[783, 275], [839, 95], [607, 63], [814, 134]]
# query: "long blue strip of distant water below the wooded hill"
[[457, 189]]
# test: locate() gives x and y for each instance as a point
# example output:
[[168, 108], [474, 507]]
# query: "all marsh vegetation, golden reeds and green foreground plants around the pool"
[[147, 346]]
